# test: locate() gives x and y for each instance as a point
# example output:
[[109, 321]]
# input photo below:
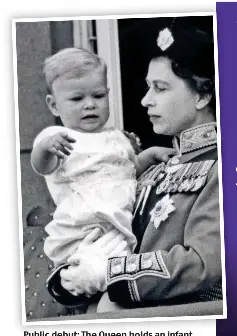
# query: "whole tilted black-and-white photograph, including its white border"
[[120, 188]]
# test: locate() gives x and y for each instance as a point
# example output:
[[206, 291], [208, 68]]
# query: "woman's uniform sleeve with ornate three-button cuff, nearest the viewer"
[[184, 269]]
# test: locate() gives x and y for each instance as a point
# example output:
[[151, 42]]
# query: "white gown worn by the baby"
[[93, 187]]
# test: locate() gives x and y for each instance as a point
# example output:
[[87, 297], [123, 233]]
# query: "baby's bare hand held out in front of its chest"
[[59, 144]]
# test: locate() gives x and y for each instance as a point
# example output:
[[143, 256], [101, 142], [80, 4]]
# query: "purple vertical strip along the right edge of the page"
[[227, 50]]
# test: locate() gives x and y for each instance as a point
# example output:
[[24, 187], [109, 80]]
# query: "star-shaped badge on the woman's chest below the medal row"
[[161, 210]]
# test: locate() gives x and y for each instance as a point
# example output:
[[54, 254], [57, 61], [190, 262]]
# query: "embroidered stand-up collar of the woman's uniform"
[[196, 138]]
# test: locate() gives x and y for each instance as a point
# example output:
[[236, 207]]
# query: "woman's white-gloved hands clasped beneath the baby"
[[87, 275]]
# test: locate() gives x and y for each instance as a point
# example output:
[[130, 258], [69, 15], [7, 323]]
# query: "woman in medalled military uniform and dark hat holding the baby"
[[176, 221]]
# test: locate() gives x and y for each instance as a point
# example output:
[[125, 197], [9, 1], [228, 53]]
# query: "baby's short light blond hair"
[[69, 59]]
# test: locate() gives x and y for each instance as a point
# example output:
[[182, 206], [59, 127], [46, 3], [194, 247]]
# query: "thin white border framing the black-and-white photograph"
[[50, 321]]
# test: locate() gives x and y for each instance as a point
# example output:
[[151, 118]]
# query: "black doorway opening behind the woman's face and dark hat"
[[134, 65]]
